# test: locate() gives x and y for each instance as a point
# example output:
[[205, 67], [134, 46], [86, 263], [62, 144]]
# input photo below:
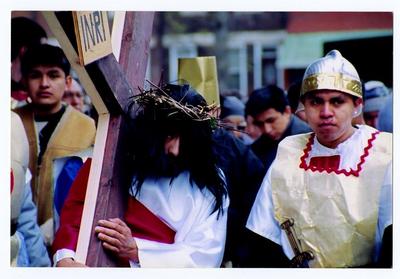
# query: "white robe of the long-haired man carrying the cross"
[[200, 235]]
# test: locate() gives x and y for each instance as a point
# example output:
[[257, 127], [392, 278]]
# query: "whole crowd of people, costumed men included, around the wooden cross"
[[296, 178]]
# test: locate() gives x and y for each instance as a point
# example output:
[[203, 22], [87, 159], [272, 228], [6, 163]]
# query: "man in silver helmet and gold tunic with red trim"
[[326, 198]]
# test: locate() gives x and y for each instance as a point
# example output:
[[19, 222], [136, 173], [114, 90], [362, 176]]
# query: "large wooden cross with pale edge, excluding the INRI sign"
[[110, 85]]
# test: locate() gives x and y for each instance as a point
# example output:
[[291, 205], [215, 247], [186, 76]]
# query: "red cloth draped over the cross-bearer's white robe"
[[142, 222]]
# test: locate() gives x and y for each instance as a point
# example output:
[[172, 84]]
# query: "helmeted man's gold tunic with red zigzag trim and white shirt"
[[340, 199]]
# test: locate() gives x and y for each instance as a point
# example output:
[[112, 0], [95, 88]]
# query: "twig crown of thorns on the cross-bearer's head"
[[159, 98]]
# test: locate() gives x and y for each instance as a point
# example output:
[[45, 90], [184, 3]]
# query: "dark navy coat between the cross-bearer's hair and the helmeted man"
[[244, 173]]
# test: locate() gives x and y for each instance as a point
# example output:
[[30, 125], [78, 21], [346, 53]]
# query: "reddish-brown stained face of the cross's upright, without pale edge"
[[116, 173]]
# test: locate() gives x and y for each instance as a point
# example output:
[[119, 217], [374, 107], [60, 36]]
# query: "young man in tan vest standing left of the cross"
[[54, 129]]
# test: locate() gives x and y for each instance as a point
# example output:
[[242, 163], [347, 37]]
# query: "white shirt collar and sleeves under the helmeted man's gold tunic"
[[262, 220]]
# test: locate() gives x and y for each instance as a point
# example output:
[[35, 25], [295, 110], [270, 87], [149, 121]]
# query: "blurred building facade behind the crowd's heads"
[[254, 49]]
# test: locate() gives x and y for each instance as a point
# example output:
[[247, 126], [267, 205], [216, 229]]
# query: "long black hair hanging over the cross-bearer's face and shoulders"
[[151, 127]]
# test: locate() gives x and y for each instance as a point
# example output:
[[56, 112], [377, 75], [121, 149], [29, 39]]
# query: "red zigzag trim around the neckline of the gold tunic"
[[355, 172]]
